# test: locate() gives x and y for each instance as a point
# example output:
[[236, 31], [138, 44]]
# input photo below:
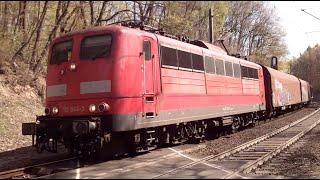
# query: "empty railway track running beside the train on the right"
[[255, 153]]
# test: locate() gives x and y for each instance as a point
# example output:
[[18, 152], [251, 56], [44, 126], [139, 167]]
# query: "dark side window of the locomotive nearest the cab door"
[[168, 56]]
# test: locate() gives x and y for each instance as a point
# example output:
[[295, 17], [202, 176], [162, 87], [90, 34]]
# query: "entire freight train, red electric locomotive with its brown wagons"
[[135, 89]]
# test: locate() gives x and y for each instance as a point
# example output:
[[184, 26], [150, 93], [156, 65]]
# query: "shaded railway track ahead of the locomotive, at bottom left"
[[35, 170]]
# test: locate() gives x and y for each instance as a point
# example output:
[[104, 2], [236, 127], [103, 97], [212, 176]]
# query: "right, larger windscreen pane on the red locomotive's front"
[[93, 47]]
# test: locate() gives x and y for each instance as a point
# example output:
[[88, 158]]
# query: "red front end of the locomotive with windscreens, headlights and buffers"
[[81, 99]]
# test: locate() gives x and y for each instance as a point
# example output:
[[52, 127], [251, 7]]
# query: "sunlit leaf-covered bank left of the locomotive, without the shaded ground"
[[16, 108]]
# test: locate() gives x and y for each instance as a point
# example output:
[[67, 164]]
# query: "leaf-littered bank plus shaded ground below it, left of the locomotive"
[[19, 105]]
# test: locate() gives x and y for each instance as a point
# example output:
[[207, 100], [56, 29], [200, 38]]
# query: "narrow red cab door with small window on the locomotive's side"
[[149, 77]]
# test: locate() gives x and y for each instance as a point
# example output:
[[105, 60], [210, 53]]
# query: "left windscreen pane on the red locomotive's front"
[[61, 52]]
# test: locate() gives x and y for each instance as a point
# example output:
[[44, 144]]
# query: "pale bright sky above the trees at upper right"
[[302, 29]]
